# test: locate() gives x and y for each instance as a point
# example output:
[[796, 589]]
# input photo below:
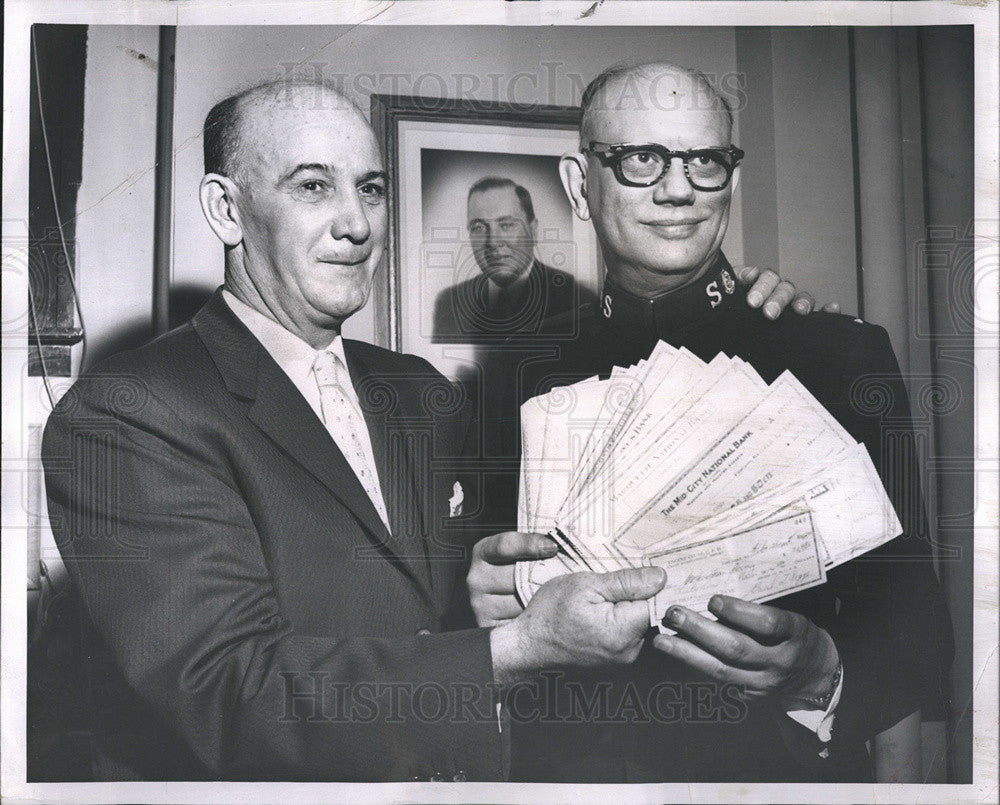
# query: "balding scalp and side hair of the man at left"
[[229, 140]]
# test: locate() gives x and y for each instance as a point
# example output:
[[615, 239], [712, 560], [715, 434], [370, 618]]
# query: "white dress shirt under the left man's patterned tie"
[[296, 358]]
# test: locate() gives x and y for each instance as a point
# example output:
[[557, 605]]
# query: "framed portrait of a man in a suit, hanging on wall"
[[440, 296]]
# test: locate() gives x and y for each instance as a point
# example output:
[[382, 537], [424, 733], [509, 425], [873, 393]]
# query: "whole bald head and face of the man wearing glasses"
[[660, 235]]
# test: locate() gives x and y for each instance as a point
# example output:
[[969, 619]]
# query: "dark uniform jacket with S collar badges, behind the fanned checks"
[[885, 610]]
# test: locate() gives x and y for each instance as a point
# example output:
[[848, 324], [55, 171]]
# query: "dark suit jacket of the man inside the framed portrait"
[[465, 313]]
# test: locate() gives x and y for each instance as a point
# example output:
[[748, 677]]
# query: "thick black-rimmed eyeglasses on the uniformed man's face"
[[644, 165]]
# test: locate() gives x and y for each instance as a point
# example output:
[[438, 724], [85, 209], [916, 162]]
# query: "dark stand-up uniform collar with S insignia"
[[671, 314]]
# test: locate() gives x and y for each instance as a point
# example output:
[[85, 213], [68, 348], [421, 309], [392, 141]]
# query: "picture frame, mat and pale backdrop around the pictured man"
[[434, 150]]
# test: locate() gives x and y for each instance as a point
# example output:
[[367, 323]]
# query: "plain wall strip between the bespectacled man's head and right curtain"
[[798, 184]]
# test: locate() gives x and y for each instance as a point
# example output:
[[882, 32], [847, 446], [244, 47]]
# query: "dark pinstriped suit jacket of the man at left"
[[262, 624]]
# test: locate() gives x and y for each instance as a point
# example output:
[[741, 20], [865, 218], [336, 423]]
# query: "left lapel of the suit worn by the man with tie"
[[277, 408]]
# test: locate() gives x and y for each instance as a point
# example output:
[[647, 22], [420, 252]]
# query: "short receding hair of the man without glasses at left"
[[222, 141]]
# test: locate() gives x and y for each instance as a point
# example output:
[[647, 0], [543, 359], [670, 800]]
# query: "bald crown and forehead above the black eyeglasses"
[[653, 86]]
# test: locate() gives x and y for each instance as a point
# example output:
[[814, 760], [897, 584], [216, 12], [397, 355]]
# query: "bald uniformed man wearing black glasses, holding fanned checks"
[[787, 692]]
